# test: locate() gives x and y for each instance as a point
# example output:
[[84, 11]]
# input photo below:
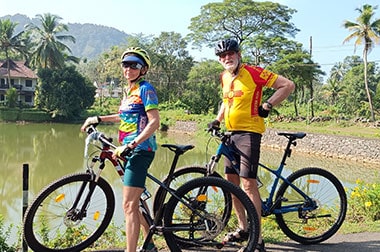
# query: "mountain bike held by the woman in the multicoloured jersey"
[[71, 213]]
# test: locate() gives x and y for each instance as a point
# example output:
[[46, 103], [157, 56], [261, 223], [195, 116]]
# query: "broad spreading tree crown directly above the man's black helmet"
[[240, 19]]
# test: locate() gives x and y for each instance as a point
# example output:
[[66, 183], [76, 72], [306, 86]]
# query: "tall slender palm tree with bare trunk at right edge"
[[368, 32]]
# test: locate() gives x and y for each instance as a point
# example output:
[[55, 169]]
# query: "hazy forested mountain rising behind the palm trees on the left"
[[91, 39]]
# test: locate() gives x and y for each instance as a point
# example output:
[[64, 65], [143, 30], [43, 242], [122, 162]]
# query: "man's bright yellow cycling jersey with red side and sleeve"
[[242, 96]]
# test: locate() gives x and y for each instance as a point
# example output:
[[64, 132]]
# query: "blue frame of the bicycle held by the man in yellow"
[[269, 206]]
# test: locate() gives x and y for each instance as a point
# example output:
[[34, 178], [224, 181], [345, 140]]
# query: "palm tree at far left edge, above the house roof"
[[11, 43]]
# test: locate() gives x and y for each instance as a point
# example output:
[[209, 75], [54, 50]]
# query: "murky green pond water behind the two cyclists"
[[53, 150]]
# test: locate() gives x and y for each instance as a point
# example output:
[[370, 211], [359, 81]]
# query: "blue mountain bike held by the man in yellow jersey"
[[309, 205]]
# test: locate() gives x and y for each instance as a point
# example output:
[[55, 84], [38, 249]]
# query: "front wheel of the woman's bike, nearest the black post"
[[47, 226]]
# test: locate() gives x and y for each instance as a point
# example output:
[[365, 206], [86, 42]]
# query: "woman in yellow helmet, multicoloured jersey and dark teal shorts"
[[139, 119]]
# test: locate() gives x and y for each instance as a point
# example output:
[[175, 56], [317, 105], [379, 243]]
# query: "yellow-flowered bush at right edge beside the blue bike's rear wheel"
[[364, 201]]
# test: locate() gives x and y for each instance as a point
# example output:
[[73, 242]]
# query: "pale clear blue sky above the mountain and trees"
[[319, 21]]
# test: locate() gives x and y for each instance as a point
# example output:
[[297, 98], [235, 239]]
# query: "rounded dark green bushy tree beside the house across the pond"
[[64, 92]]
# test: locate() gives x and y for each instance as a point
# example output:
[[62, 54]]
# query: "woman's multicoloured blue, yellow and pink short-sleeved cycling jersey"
[[140, 98]]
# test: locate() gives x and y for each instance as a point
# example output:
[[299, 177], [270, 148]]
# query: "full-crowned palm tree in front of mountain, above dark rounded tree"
[[50, 51]]
